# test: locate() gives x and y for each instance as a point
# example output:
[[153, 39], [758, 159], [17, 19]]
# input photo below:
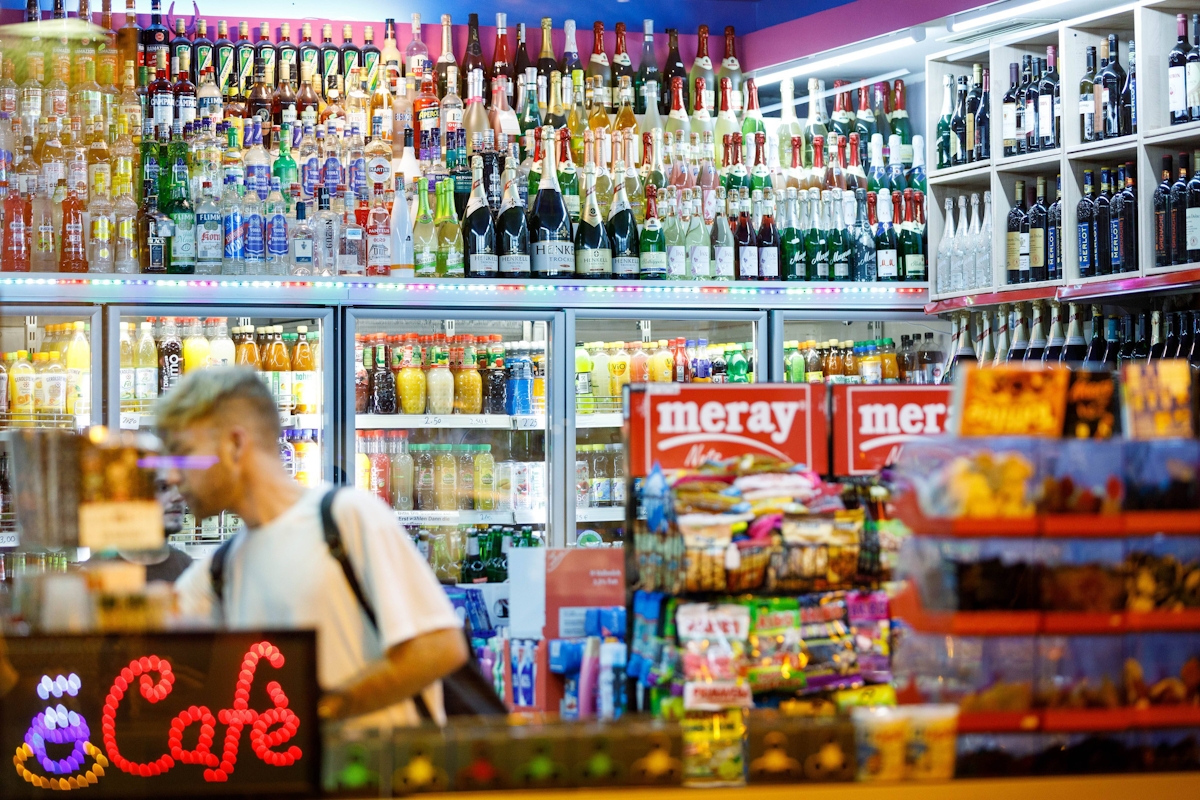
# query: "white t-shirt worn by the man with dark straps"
[[283, 576]]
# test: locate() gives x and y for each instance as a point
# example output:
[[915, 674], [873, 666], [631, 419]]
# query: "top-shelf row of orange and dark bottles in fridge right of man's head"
[[440, 375]]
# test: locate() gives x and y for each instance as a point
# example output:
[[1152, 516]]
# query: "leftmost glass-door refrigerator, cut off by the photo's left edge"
[[50, 378]]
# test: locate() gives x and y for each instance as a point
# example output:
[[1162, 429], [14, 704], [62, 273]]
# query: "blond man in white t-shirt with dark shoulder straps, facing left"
[[224, 429]]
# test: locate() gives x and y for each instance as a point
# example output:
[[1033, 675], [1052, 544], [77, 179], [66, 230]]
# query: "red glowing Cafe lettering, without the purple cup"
[[262, 738]]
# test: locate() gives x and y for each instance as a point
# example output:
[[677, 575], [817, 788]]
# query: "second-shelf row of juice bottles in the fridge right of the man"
[[440, 477]]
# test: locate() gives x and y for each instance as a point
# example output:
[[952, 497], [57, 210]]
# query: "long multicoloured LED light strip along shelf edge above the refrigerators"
[[191, 284]]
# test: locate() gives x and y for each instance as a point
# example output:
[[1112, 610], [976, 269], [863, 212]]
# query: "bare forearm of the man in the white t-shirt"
[[409, 667]]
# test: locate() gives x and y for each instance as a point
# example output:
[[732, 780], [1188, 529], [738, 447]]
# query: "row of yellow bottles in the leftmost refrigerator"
[[51, 387]]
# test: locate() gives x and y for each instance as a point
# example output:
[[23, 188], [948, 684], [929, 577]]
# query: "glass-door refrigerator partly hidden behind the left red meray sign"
[[615, 348]]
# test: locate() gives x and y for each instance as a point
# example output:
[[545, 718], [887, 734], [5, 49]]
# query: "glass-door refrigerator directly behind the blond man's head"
[[151, 347]]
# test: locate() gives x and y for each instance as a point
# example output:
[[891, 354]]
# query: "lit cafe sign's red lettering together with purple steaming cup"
[[87, 763]]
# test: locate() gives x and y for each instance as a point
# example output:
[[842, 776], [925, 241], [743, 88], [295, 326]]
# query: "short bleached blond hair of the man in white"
[[215, 392]]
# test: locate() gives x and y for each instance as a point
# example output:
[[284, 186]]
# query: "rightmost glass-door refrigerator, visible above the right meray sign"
[[836, 344]]
